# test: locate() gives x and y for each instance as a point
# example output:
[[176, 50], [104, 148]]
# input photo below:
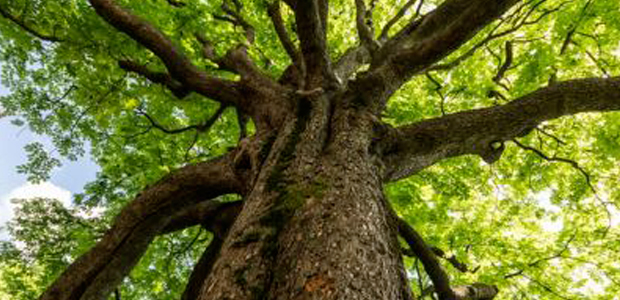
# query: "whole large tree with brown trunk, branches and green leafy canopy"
[[322, 144]]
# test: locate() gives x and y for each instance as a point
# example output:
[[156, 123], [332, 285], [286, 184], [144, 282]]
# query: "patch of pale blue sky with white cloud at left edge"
[[65, 181]]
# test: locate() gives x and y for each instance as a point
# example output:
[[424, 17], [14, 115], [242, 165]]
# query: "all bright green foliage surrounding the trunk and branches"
[[533, 227]]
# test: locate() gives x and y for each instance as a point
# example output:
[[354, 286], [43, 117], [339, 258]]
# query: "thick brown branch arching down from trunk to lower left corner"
[[97, 272]]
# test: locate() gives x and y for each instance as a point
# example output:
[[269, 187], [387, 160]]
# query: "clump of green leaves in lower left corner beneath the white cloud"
[[46, 237]]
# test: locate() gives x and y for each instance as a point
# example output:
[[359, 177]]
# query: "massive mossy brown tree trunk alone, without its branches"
[[316, 224]]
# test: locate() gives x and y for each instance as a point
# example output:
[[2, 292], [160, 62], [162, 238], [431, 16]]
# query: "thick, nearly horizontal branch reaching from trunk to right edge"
[[411, 148]]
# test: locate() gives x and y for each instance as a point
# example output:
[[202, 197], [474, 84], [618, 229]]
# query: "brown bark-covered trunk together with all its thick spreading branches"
[[314, 222]]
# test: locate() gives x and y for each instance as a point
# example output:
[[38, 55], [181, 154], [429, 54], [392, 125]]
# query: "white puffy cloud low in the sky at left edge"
[[28, 191]]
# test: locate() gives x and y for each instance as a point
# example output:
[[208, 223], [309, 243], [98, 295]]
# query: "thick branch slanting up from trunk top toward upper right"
[[426, 41]]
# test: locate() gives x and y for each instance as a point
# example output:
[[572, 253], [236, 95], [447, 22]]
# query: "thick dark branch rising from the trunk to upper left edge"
[[179, 66]]
